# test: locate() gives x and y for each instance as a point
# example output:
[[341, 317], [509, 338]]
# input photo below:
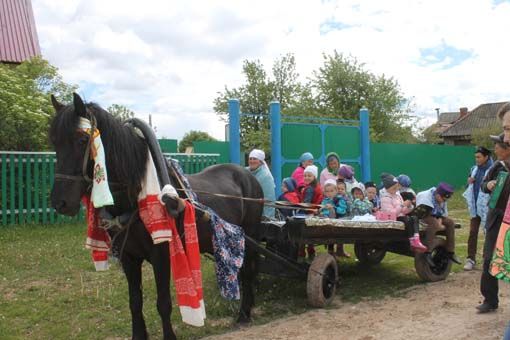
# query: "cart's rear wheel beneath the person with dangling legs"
[[440, 258]]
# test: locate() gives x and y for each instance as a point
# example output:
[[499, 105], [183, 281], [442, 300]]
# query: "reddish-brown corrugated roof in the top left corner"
[[18, 36]]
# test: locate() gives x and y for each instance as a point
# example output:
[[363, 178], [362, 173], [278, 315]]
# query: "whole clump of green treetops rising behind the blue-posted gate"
[[338, 89]]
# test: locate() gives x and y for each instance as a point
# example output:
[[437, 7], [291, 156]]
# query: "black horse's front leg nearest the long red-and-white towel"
[[160, 259]]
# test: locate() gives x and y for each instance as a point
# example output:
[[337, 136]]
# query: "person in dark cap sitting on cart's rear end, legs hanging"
[[432, 209]]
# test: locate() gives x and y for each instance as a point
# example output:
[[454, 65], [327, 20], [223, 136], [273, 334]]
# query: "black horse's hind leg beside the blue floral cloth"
[[248, 276]]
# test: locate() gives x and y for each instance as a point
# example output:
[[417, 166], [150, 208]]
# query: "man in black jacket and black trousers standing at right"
[[488, 283]]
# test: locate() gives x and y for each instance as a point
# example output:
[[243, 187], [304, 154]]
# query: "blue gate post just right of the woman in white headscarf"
[[276, 144]]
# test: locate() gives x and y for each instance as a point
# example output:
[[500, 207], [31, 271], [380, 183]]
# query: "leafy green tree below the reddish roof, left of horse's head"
[[25, 106]]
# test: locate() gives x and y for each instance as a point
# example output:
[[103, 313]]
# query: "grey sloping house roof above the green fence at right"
[[481, 117]]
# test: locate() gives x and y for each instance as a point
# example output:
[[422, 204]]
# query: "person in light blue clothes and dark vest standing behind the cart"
[[477, 201]]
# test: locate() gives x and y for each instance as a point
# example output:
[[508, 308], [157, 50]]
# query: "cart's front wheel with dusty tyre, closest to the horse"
[[322, 279]]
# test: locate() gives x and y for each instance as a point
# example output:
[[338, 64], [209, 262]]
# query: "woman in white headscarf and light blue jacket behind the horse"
[[258, 168]]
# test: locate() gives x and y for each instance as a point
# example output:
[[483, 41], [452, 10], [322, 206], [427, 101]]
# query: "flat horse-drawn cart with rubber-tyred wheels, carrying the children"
[[278, 254]]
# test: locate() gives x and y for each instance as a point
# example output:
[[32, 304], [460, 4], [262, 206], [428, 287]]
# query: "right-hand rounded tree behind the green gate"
[[343, 86]]
